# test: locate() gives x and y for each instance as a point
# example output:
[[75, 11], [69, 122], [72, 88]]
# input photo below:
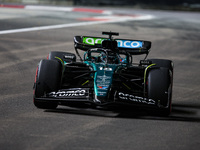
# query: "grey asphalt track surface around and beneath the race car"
[[175, 36]]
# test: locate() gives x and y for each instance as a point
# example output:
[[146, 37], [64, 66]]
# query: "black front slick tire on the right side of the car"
[[160, 89]]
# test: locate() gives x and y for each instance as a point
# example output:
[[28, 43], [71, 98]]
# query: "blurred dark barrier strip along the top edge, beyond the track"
[[144, 4]]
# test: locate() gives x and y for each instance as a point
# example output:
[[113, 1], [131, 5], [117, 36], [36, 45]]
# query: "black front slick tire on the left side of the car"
[[47, 79]]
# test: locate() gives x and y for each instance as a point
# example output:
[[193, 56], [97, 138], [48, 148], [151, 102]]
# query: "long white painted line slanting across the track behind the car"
[[146, 17]]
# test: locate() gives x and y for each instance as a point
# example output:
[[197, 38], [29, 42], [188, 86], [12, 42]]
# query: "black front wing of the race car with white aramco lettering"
[[86, 96]]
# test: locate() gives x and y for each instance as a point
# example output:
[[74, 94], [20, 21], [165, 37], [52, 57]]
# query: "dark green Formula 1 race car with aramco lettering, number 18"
[[104, 76]]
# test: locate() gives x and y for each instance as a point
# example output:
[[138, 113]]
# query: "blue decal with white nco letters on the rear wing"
[[129, 44]]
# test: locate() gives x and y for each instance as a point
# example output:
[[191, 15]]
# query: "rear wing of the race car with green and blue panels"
[[133, 47]]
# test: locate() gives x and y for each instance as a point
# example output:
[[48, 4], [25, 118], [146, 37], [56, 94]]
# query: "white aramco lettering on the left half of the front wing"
[[68, 93]]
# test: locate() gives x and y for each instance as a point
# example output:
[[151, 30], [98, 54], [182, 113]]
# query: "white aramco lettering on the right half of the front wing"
[[136, 99]]
